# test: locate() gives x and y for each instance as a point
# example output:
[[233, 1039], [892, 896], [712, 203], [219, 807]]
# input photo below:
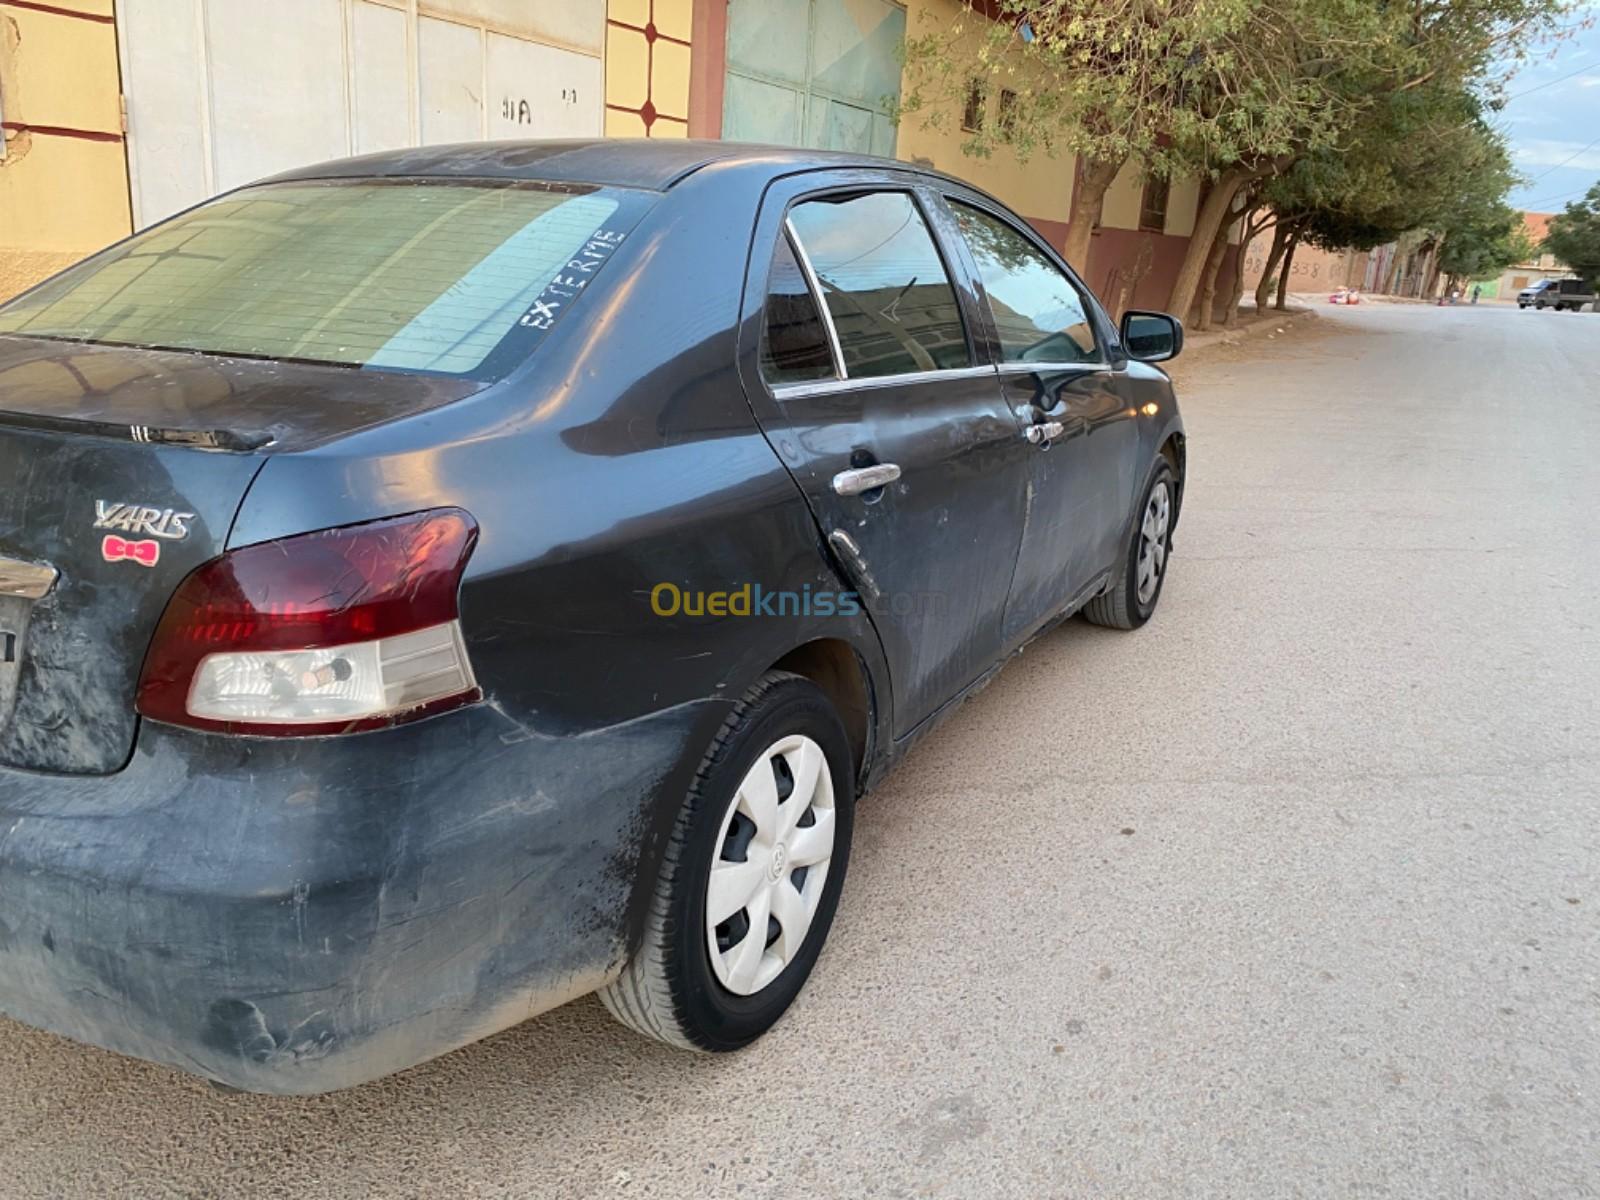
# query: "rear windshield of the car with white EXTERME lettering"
[[407, 276]]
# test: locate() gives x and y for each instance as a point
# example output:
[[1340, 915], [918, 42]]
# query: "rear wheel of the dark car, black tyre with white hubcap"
[[750, 878]]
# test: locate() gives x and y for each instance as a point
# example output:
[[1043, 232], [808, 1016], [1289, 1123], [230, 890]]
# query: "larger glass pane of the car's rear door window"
[[884, 284]]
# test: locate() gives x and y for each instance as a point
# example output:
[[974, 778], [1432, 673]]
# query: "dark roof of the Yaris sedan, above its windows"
[[641, 162]]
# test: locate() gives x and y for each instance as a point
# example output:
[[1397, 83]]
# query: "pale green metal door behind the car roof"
[[814, 73]]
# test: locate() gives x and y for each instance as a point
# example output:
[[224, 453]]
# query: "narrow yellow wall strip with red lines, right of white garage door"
[[647, 68]]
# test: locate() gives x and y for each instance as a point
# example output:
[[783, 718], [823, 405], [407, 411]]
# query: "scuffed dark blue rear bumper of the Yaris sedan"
[[305, 916]]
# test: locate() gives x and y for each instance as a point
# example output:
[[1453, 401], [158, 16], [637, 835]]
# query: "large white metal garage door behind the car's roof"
[[225, 92]]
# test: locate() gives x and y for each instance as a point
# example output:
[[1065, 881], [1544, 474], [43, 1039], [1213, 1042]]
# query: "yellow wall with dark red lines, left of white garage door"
[[65, 175]]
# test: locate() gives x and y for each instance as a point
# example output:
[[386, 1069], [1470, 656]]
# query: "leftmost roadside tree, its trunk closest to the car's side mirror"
[[1151, 82]]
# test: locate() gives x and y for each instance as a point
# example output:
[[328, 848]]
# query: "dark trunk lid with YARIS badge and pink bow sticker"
[[122, 471]]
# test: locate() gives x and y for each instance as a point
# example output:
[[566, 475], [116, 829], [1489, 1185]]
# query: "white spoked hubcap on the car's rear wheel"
[[772, 863]]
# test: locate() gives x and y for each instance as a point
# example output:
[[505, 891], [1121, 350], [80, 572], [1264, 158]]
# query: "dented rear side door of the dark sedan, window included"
[[892, 420]]
